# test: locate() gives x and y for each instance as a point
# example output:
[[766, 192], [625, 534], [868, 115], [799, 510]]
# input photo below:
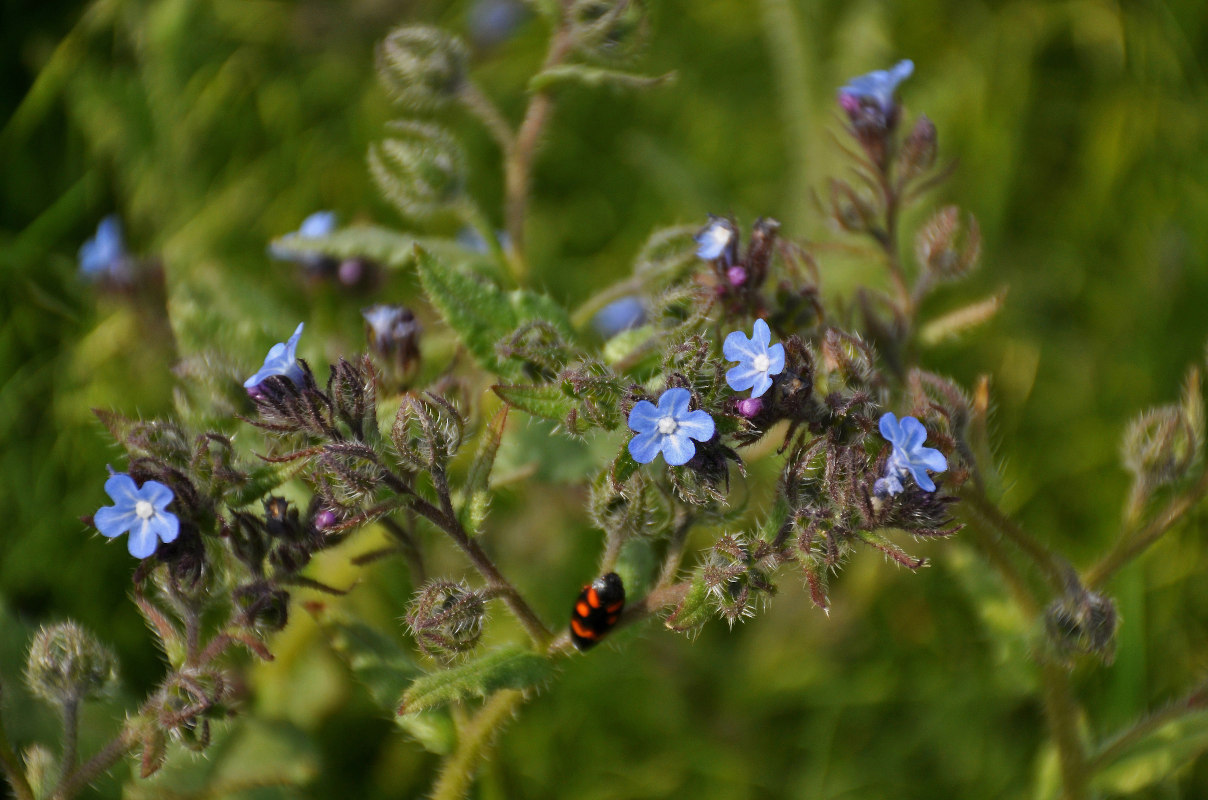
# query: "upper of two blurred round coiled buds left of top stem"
[[423, 68]]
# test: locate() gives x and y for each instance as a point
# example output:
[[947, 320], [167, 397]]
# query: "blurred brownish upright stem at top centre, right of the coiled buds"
[[519, 163]]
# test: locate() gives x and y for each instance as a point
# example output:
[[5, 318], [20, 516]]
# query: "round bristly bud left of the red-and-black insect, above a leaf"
[[446, 619]]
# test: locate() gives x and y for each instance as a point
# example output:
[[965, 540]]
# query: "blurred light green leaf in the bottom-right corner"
[[1157, 755]]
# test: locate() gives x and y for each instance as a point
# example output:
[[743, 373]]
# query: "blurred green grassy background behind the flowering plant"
[[1082, 132]]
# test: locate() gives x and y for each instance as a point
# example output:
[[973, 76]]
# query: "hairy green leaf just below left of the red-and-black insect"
[[509, 668]]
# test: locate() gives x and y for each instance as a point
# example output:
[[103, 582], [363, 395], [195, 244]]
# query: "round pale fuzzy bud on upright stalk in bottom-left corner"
[[67, 664]]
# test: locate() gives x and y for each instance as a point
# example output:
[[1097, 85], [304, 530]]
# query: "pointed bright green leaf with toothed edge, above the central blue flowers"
[[483, 315]]
